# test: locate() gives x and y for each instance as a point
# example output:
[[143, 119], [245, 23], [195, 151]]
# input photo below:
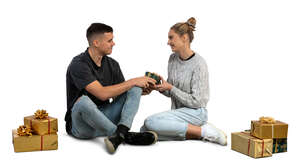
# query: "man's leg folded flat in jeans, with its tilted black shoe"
[[89, 121]]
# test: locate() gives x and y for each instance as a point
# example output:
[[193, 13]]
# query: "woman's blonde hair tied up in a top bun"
[[185, 28]]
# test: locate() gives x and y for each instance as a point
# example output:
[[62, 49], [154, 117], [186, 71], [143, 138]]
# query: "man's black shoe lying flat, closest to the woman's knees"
[[141, 138]]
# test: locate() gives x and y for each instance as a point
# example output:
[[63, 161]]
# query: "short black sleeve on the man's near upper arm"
[[81, 74]]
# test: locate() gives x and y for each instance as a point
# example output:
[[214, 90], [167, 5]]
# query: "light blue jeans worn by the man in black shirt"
[[90, 120]]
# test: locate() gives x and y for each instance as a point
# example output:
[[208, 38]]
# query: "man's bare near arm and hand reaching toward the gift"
[[105, 92]]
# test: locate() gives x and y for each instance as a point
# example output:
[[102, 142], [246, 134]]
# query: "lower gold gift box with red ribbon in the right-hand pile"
[[244, 143]]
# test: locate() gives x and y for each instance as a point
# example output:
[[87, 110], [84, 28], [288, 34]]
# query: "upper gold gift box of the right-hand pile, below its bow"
[[262, 130]]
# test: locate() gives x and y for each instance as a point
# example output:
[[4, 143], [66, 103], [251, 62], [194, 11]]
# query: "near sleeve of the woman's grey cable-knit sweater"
[[199, 93]]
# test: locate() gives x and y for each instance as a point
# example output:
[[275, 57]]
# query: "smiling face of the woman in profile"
[[175, 41]]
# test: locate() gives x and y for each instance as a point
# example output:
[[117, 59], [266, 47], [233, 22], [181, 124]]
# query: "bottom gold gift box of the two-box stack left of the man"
[[34, 142]]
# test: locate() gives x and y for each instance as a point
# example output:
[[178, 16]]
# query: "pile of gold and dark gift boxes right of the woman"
[[266, 137]]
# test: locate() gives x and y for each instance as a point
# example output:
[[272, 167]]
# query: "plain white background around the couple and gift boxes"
[[251, 48]]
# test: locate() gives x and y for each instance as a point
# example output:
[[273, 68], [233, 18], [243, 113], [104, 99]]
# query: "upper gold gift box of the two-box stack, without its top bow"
[[41, 126]]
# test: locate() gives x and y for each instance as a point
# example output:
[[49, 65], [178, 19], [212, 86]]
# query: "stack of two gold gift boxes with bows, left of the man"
[[38, 133]]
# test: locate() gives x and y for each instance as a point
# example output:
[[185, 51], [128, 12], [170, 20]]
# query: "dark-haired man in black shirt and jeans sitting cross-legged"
[[93, 79]]
